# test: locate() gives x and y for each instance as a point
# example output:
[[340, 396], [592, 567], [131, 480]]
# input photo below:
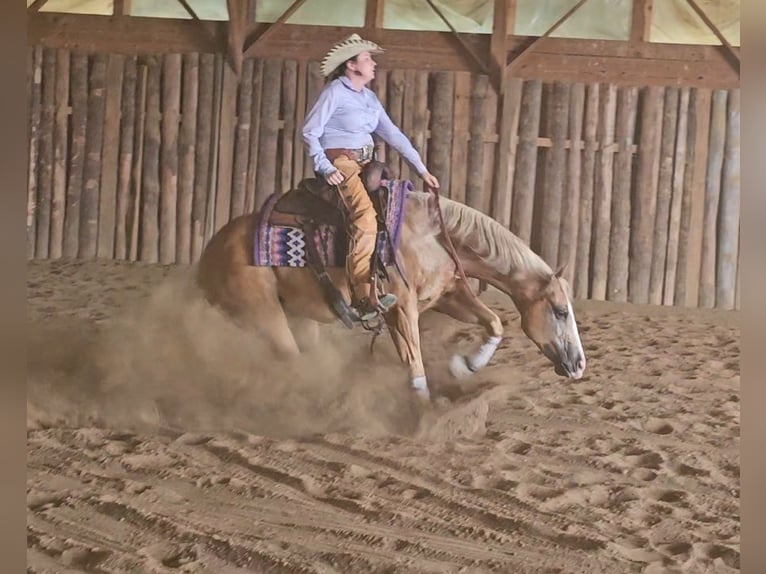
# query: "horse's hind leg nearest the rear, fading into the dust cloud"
[[253, 302]]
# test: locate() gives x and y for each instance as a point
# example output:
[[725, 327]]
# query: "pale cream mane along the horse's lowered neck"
[[495, 245]]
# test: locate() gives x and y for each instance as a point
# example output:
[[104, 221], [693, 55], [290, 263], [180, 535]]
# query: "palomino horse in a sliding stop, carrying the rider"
[[262, 297]]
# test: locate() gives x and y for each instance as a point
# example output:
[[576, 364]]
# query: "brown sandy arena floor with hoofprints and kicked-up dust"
[[163, 439]]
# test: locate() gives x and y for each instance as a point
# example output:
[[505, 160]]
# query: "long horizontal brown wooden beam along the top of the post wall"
[[564, 59]]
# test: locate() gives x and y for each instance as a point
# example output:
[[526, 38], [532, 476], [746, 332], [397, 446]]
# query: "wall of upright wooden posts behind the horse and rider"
[[634, 189]]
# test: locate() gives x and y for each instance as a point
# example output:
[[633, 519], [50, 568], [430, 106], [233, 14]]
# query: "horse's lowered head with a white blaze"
[[547, 317]]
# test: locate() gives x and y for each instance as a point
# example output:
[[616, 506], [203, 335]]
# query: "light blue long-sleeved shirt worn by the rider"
[[343, 117]]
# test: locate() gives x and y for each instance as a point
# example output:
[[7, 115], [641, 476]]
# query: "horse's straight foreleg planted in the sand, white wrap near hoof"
[[405, 333]]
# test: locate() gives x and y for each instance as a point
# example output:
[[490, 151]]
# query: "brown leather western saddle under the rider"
[[314, 203]]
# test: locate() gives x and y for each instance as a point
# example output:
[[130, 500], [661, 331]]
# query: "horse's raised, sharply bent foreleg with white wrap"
[[464, 306]]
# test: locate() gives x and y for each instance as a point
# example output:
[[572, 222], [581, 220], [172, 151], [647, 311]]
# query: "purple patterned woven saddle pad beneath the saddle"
[[285, 246]]
